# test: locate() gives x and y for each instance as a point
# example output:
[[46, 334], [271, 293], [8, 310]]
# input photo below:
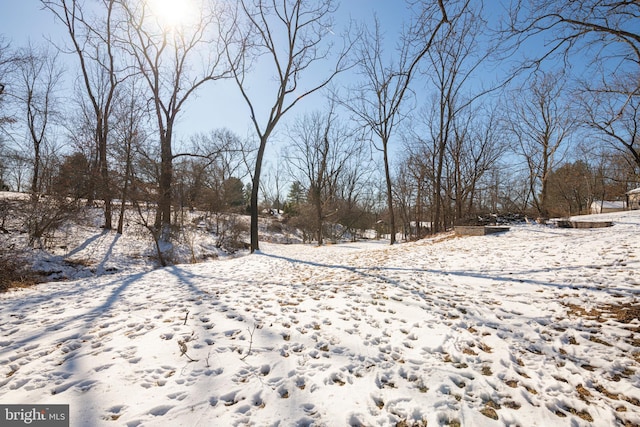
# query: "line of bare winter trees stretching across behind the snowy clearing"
[[460, 113]]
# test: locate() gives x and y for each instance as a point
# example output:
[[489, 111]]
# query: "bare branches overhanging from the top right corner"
[[607, 34]]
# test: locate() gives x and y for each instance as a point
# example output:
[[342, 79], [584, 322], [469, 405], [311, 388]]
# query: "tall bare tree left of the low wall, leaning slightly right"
[[454, 60]]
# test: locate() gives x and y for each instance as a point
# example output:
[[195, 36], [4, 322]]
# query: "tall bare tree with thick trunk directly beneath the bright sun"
[[166, 59]]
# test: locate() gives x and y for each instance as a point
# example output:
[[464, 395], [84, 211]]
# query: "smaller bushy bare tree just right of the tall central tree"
[[318, 156]]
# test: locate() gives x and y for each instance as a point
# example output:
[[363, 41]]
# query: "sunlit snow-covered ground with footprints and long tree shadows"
[[533, 327]]
